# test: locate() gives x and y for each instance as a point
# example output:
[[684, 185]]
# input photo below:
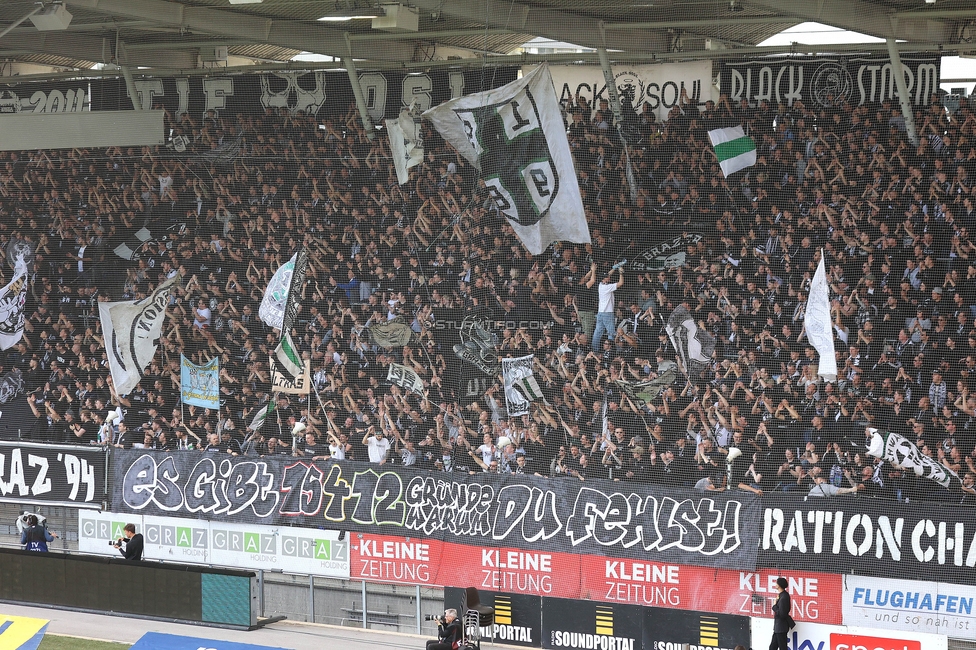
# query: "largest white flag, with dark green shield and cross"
[[516, 136]]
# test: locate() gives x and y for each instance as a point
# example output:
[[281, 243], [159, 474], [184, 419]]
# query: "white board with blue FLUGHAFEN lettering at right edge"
[[919, 606]]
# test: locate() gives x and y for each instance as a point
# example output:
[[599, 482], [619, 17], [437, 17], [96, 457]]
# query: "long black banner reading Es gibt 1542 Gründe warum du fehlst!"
[[527, 512]]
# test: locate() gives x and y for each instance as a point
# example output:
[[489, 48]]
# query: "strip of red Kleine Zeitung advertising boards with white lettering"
[[817, 597]]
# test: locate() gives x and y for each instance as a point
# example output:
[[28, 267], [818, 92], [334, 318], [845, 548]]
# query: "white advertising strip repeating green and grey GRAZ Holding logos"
[[240, 546]]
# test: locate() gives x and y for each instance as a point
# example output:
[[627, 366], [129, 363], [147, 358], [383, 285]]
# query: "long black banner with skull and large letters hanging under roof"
[[329, 92]]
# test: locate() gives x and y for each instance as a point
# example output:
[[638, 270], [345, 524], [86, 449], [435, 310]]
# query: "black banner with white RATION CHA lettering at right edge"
[[869, 537]]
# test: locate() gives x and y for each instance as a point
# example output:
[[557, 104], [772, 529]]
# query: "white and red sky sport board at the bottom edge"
[[811, 636]]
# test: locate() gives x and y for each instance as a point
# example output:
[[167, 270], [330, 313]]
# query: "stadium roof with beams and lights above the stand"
[[165, 36]]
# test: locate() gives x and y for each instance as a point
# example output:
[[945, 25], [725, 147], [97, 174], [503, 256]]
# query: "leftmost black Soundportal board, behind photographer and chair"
[[518, 617]]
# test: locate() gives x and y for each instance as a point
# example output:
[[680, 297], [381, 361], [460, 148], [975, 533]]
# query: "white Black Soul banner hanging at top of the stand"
[[659, 85]]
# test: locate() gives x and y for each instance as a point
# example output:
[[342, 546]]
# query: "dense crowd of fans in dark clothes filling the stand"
[[893, 221]]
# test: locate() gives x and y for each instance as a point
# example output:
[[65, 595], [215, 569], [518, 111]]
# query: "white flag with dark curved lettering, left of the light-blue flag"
[[131, 329]]
